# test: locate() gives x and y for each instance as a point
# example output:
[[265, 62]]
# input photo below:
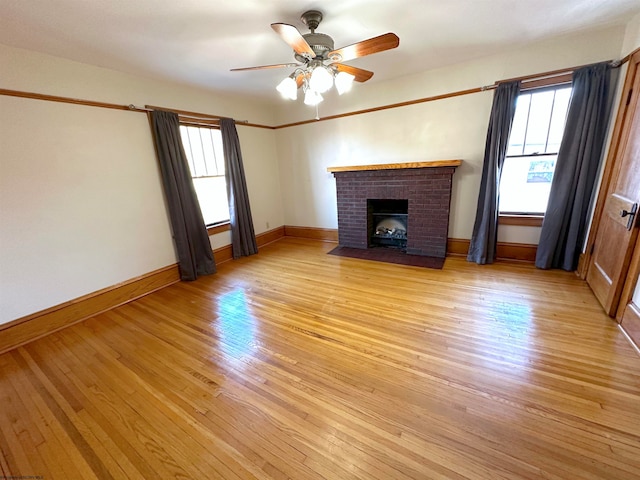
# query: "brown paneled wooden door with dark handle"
[[618, 226]]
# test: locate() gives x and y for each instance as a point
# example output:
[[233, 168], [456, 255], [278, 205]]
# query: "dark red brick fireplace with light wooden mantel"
[[425, 187]]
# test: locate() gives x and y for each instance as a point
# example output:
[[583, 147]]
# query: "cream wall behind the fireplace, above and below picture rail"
[[453, 128]]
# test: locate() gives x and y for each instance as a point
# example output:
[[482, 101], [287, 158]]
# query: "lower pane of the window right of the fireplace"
[[525, 184]]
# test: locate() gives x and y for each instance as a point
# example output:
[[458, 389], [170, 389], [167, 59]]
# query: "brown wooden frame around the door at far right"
[[612, 168]]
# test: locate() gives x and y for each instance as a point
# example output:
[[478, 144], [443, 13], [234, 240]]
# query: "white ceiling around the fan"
[[198, 41]]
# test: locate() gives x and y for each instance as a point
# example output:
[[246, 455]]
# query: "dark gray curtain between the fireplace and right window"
[[482, 248]]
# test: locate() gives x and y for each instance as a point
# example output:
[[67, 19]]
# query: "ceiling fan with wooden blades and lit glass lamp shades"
[[319, 63]]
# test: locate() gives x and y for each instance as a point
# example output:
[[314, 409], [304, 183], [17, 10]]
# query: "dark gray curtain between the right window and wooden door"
[[565, 221]]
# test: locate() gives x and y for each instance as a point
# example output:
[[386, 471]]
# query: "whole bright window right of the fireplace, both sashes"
[[535, 138]]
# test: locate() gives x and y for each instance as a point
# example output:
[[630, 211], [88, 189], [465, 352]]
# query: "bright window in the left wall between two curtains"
[[203, 147]]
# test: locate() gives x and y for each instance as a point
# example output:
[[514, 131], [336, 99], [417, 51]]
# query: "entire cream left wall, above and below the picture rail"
[[81, 205]]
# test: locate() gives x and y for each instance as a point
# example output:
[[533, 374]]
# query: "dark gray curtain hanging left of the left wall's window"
[[195, 256]]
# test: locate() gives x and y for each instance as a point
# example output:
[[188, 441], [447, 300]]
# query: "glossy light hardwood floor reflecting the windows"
[[297, 364]]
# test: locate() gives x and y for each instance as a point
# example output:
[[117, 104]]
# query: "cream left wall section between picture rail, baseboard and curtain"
[[80, 208]]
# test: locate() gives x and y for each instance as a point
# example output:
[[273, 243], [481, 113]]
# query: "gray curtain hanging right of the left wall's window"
[[243, 238]]
